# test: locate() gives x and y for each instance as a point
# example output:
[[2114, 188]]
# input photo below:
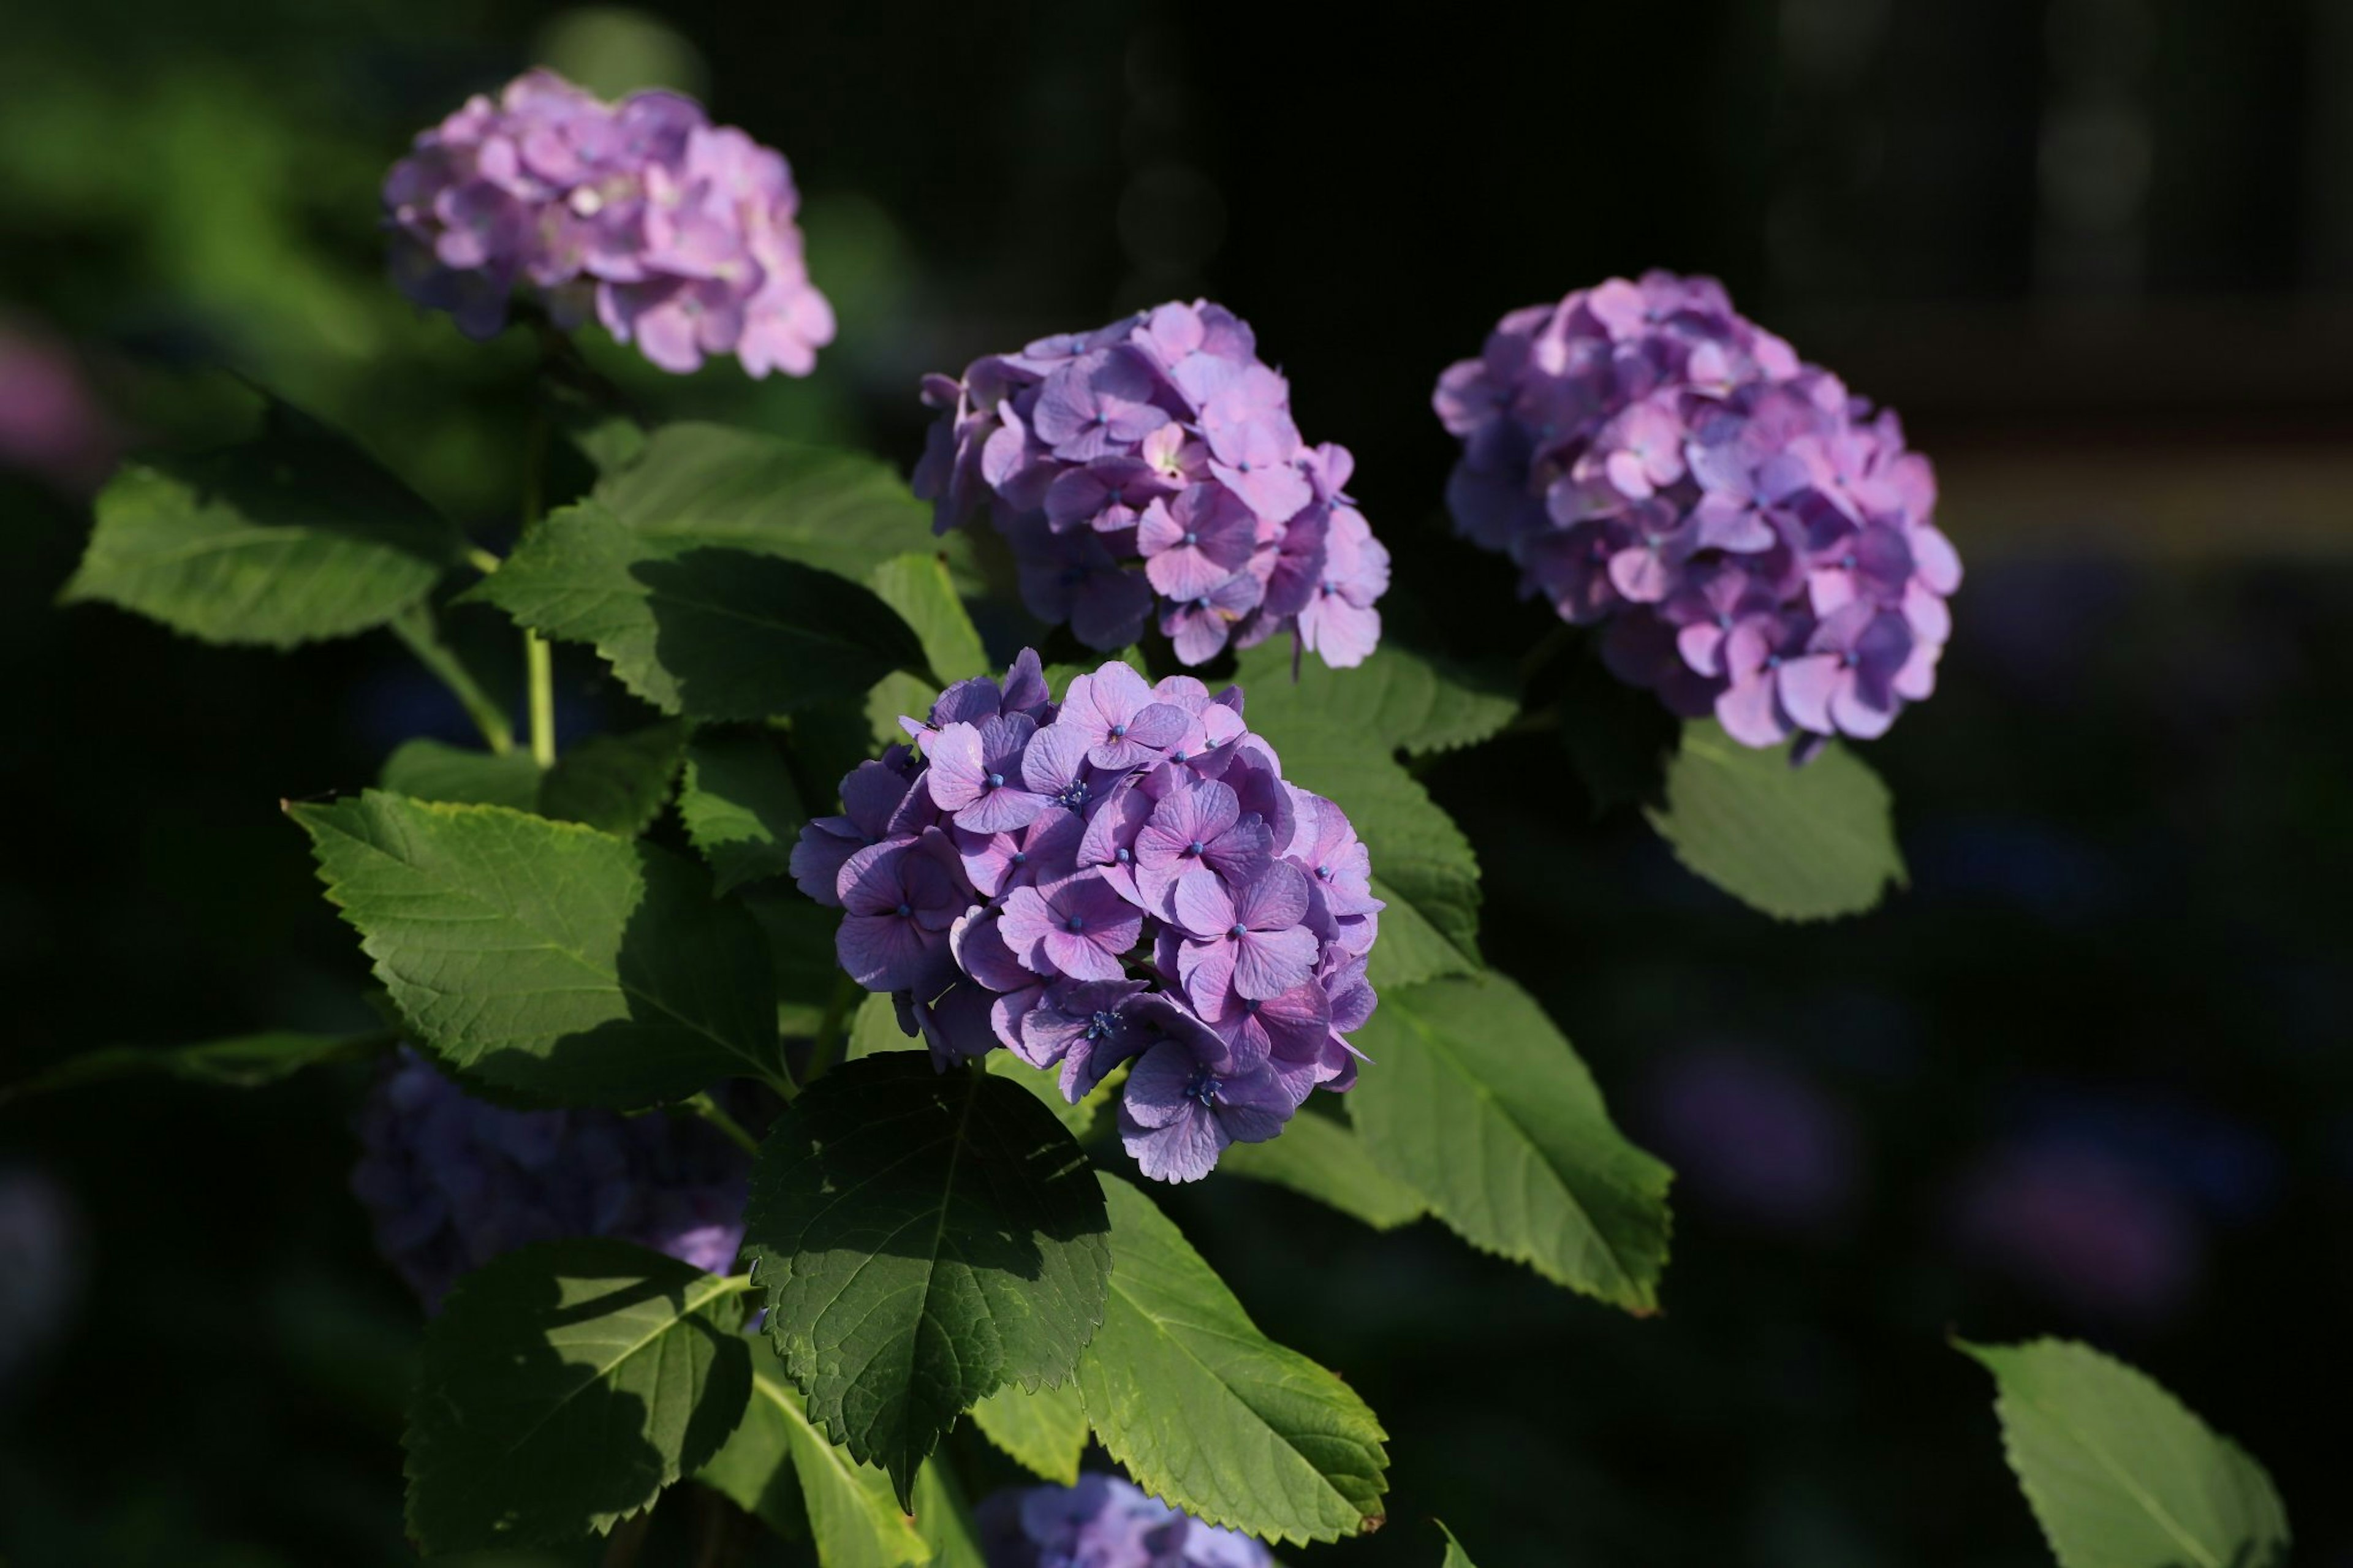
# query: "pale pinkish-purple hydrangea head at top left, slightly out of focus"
[[674, 232]]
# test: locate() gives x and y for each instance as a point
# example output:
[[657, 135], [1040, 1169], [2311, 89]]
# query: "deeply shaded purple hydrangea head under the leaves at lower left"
[[453, 1183]]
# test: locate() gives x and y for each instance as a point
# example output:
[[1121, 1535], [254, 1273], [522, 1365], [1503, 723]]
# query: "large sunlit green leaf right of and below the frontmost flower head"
[[1484, 1108]]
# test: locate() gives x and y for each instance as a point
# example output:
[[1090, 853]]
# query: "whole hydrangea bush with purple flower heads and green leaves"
[[636, 1122]]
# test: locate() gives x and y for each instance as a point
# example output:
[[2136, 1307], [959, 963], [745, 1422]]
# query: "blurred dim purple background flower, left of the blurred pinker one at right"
[[1754, 1138]]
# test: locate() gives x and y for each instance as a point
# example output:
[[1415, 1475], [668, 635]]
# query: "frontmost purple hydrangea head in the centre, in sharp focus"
[[1116, 877]]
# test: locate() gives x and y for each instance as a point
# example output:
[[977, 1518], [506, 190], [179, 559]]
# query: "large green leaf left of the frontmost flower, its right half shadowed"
[[547, 957]]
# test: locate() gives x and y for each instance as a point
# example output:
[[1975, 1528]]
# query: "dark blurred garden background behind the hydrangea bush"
[[2086, 1077]]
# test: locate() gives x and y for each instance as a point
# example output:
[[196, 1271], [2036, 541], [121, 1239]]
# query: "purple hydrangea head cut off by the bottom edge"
[[1105, 1524]]
